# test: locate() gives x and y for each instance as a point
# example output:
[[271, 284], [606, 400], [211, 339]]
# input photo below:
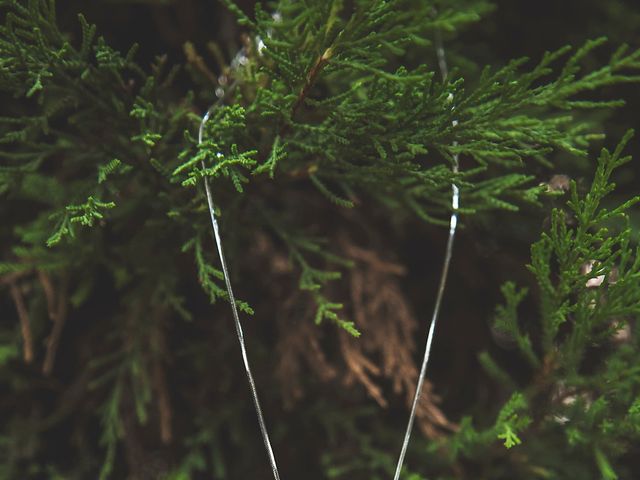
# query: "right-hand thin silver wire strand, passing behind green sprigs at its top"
[[453, 223]]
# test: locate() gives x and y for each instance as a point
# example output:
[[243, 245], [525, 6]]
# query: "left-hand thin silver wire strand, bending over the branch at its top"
[[232, 300]]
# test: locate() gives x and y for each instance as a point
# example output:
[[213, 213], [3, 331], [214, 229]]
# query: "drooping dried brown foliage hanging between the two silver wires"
[[385, 353]]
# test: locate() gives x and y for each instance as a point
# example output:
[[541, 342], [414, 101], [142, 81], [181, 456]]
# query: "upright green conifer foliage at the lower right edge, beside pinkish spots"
[[582, 392]]
